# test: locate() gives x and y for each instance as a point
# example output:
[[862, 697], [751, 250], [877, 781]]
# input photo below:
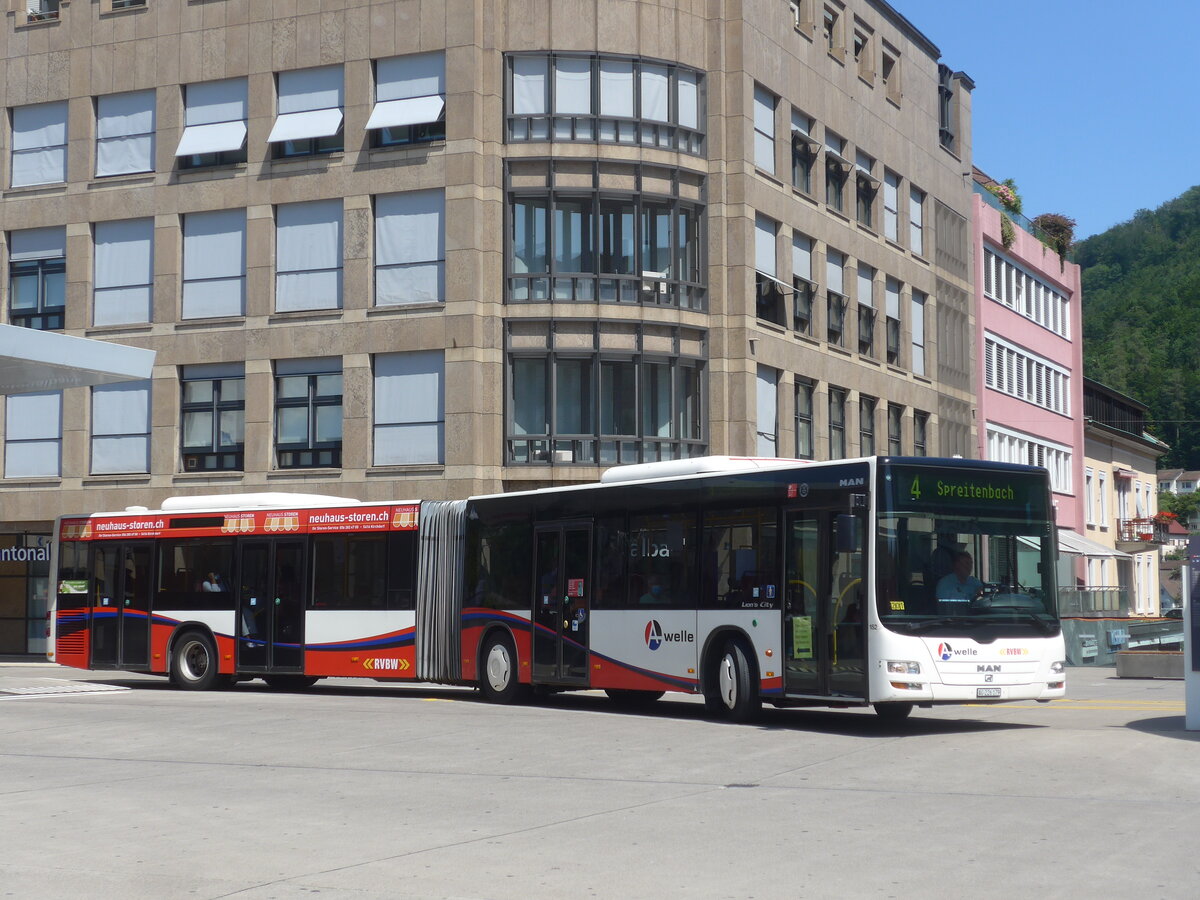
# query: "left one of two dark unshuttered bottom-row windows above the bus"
[[214, 411]]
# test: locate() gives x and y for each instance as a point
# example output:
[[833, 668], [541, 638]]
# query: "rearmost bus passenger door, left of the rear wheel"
[[121, 608]]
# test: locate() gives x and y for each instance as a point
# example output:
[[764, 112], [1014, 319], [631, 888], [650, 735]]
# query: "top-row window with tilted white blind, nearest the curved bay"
[[410, 100]]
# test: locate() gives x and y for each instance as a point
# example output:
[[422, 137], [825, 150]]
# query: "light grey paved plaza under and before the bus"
[[119, 787]]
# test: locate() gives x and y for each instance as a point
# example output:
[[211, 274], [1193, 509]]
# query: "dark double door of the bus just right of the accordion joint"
[[562, 604]]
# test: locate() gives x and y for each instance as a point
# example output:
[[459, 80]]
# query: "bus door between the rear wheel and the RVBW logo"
[[271, 607]]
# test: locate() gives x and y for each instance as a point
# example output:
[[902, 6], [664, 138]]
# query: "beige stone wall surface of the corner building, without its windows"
[[867, 79]]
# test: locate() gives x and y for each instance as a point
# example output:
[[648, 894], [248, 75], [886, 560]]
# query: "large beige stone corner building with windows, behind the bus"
[[427, 249]]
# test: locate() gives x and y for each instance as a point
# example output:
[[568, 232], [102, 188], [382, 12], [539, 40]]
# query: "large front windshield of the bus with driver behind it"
[[985, 573]]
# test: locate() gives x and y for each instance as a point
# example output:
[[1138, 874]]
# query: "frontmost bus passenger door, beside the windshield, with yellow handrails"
[[824, 619]]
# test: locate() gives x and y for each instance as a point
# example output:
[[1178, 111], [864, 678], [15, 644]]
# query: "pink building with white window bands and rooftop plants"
[[1030, 363]]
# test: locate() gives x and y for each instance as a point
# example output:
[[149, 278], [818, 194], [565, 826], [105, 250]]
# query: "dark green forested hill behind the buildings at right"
[[1142, 319]]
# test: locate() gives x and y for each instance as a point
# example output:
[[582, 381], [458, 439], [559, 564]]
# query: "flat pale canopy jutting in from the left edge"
[[33, 361]]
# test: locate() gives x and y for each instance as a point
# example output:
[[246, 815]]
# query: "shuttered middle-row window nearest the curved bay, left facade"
[[410, 248]]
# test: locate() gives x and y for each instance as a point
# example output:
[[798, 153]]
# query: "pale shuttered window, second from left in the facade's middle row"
[[124, 279]]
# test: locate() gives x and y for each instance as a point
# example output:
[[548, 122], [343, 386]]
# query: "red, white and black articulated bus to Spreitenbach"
[[889, 583]]
